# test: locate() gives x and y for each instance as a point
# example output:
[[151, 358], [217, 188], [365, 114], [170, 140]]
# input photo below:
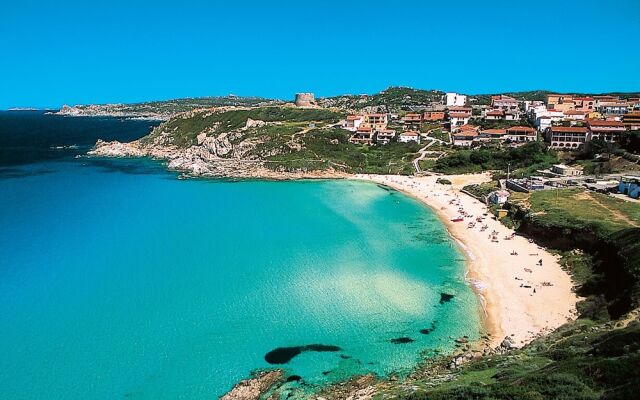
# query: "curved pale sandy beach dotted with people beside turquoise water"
[[516, 302]]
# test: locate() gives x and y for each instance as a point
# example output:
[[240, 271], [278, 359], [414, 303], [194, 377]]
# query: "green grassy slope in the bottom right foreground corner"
[[580, 361]]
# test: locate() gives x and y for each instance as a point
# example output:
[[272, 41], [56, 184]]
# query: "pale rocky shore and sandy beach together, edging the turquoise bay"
[[517, 306]]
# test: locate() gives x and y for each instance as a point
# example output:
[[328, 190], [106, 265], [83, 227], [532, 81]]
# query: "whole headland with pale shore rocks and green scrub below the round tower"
[[269, 142]]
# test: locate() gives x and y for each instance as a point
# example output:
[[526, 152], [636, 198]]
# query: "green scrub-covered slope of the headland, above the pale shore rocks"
[[292, 140]]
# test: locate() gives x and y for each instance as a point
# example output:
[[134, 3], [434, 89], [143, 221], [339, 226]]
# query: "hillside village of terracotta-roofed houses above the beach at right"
[[568, 124]]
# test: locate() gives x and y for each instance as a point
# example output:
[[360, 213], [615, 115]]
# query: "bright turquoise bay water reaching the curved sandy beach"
[[119, 280]]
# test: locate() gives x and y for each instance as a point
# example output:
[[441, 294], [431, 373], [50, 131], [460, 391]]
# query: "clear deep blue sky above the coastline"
[[71, 52]]
